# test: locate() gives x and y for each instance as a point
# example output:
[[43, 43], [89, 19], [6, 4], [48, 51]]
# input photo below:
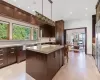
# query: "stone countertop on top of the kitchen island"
[[45, 49]]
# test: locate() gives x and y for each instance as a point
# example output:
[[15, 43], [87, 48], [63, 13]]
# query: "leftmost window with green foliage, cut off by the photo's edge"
[[4, 27]]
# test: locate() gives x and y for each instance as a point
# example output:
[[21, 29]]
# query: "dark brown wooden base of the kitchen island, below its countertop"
[[43, 66]]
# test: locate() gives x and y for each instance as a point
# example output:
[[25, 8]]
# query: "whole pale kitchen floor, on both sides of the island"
[[79, 67]]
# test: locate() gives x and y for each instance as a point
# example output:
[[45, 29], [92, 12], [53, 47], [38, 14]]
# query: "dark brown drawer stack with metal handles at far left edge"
[[3, 57]]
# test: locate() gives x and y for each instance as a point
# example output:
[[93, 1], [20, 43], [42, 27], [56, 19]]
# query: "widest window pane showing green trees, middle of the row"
[[21, 32]]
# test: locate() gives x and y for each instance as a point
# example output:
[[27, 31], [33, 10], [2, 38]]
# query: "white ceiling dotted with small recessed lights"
[[62, 9]]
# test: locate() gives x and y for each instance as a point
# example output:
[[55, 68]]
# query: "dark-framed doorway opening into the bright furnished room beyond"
[[76, 39]]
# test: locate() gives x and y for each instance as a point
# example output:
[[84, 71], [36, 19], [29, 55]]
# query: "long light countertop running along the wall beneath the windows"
[[21, 44]]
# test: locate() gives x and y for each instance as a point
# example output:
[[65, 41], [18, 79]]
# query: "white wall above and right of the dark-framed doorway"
[[82, 23]]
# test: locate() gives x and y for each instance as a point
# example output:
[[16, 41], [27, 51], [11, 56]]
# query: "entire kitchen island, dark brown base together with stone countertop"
[[44, 61]]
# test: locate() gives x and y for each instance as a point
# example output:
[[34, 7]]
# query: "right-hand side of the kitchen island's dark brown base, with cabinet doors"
[[55, 62]]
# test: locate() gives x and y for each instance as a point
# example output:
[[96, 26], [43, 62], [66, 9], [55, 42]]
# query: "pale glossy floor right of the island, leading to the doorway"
[[79, 67]]
